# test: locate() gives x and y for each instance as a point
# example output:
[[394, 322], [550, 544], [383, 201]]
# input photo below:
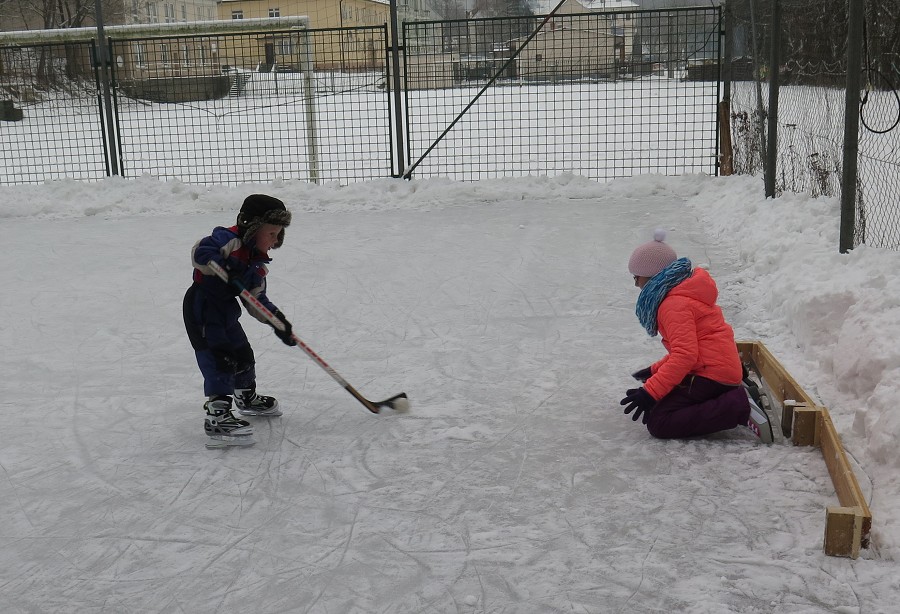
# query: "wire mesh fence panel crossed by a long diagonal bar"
[[603, 95]]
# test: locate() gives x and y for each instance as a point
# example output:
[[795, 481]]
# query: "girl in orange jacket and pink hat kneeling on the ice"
[[696, 388]]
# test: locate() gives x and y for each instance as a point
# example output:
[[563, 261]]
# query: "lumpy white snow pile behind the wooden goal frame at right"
[[833, 320]]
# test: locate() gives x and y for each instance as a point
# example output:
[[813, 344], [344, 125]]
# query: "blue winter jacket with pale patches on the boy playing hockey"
[[225, 247]]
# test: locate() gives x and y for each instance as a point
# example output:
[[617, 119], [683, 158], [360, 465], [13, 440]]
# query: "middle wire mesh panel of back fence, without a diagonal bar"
[[254, 107]]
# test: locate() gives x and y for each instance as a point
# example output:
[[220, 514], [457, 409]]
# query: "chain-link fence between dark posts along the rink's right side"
[[810, 48]]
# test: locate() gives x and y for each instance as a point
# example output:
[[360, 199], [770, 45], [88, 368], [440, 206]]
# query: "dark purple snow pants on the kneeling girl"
[[698, 406]]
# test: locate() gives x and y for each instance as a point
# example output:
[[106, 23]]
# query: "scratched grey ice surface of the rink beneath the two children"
[[516, 485]]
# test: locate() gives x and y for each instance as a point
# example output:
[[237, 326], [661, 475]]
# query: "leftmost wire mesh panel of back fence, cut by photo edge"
[[55, 88]]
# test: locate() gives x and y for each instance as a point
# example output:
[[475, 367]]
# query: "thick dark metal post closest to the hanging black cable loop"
[[851, 124]]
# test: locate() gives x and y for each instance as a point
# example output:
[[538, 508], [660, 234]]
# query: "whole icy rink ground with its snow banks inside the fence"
[[504, 309]]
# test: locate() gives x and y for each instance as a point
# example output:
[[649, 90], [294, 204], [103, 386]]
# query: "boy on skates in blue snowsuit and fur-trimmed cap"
[[212, 310]]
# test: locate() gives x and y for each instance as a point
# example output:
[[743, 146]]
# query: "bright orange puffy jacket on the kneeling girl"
[[696, 335]]
